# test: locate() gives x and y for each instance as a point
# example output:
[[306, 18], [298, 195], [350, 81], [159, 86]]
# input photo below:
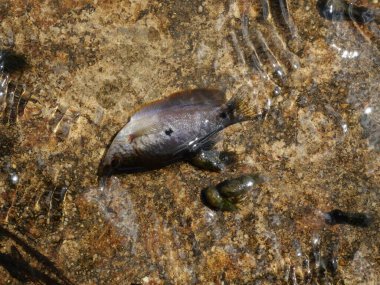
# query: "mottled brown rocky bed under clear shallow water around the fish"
[[92, 65]]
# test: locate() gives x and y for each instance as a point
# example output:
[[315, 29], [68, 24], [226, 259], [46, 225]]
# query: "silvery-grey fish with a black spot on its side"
[[172, 129]]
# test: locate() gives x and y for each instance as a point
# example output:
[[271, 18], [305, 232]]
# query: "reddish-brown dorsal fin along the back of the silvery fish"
[[186, 98]]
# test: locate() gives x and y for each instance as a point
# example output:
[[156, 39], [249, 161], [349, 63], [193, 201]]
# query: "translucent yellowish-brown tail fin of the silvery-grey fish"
[[243, 108]]
